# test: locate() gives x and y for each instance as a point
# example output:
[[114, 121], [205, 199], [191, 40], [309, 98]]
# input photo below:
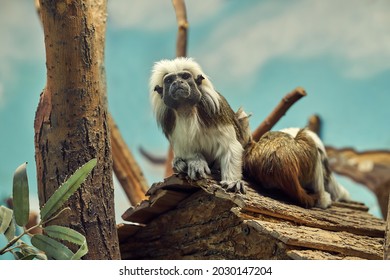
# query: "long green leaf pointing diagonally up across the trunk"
[[66, 190]]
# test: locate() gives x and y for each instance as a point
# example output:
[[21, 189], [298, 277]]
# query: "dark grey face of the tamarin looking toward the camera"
[[180, 90]]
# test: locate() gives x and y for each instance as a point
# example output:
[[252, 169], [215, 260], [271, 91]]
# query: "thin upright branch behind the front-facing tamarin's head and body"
[[181, 51]]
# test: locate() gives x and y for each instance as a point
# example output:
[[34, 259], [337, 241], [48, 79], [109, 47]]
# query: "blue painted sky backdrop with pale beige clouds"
[[254, 52]]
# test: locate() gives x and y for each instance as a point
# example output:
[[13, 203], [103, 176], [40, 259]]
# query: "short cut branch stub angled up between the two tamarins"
[[278, 112]]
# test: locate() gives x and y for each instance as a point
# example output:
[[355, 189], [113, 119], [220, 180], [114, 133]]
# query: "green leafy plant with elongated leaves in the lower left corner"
[[43, 246]]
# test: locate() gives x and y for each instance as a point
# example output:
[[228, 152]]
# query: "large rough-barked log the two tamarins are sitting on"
[[199, 220]]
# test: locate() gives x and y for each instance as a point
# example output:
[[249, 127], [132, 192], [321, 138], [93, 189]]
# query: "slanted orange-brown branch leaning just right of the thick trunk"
[[125, 167]]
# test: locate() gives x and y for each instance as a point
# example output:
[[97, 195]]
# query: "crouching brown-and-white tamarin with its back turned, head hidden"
[[294, 160]]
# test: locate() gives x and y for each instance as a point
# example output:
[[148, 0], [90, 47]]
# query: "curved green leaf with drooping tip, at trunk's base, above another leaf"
[[70, 235]]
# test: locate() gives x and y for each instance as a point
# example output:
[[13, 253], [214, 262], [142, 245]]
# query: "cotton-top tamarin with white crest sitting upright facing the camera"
[[201, 127]]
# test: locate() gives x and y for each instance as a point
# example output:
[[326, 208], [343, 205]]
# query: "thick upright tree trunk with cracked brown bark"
[[71, 120]]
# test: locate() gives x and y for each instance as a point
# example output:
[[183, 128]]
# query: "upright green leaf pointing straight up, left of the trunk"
[[20, 195]]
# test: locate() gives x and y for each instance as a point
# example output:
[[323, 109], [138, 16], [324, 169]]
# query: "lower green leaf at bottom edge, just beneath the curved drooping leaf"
[[51, 247]]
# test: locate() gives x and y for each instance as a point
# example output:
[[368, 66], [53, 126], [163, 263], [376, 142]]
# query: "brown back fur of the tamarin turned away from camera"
[[280, 161]]
